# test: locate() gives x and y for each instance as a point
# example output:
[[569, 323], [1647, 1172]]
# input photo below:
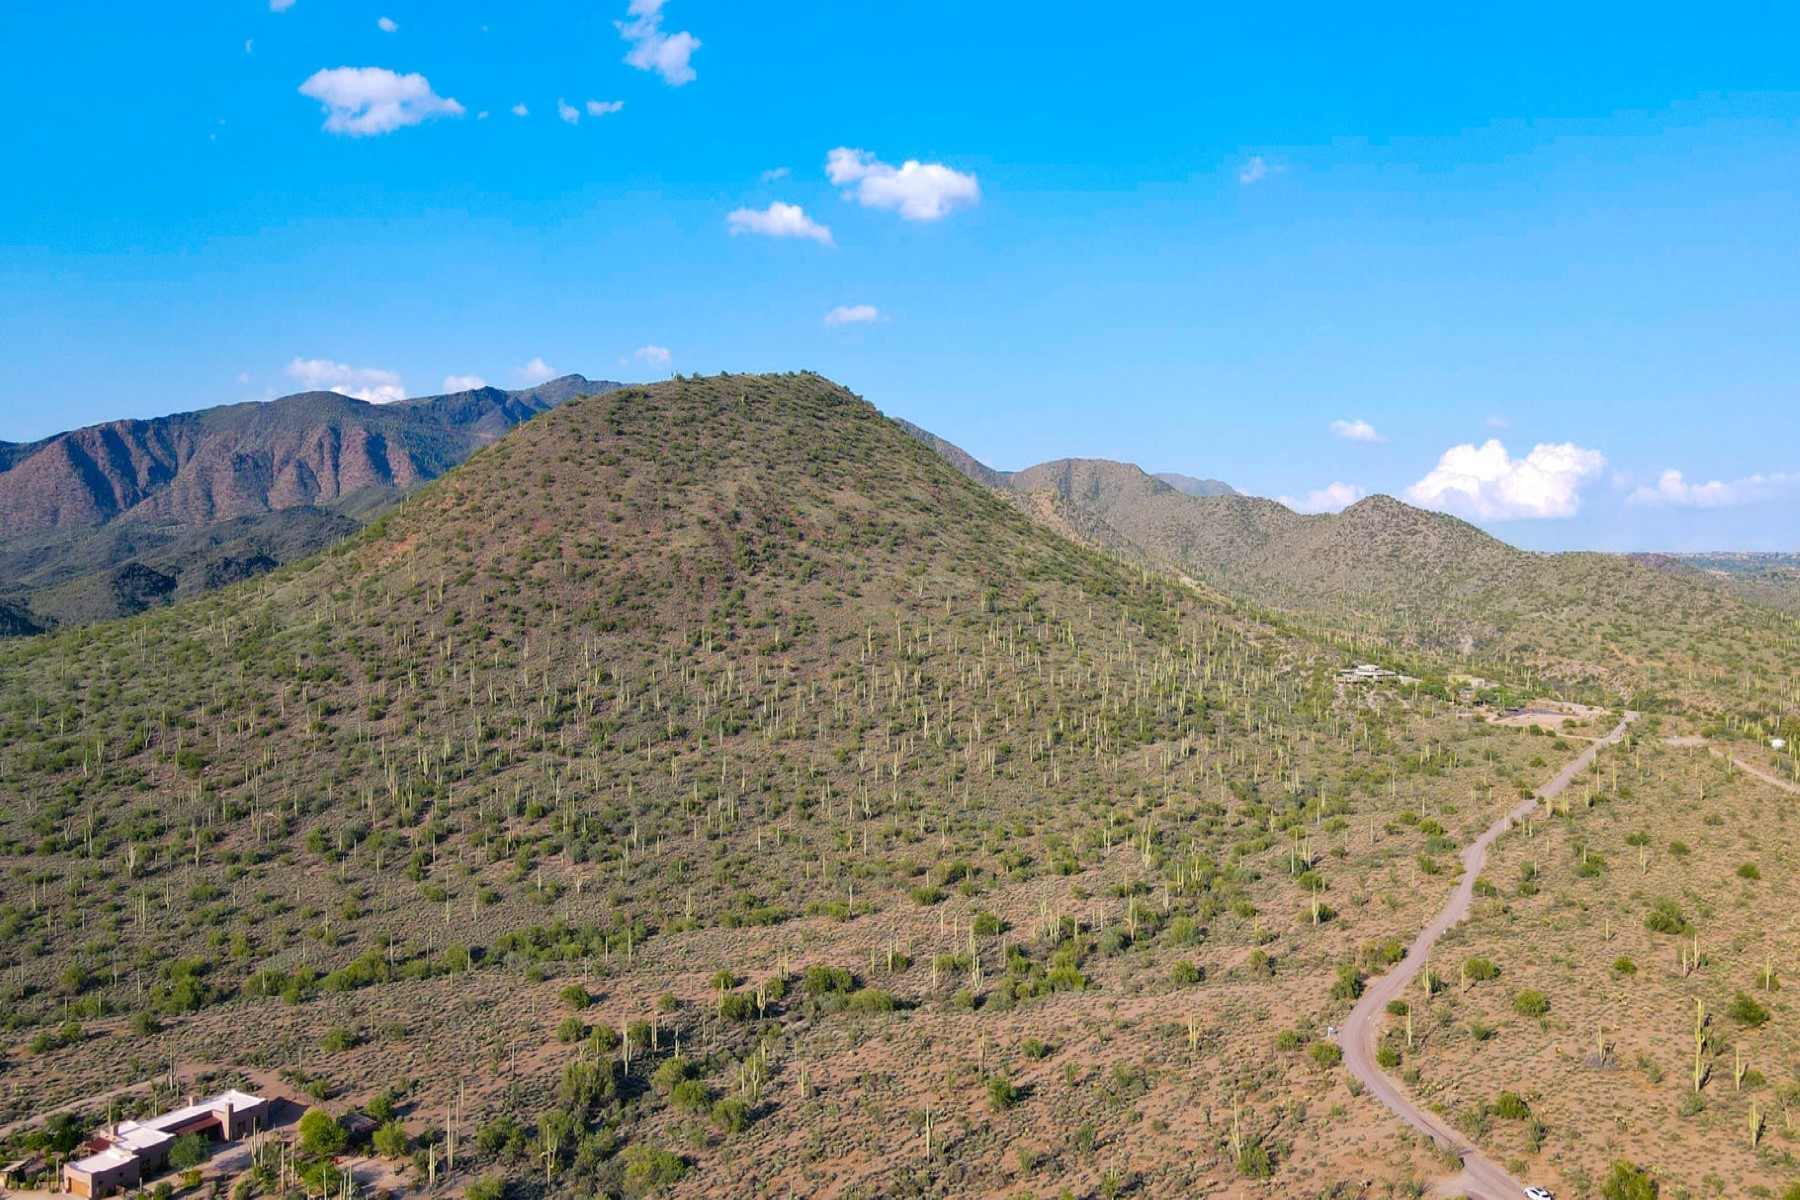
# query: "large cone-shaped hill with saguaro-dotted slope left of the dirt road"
[[732, 712]]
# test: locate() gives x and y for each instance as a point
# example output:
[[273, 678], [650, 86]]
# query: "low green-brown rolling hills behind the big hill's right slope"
[[1390, 578]]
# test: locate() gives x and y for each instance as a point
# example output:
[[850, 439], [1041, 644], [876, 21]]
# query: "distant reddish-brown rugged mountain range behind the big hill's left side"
[[102, 519]]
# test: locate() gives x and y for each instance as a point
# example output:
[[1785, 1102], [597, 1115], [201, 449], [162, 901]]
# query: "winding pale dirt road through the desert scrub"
[[1482, 1179]]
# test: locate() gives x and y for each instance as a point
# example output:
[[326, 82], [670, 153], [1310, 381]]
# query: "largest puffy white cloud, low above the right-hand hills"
[[1491, 485]]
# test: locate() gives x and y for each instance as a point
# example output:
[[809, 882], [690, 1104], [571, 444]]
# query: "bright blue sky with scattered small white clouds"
[[1200, 238]]
